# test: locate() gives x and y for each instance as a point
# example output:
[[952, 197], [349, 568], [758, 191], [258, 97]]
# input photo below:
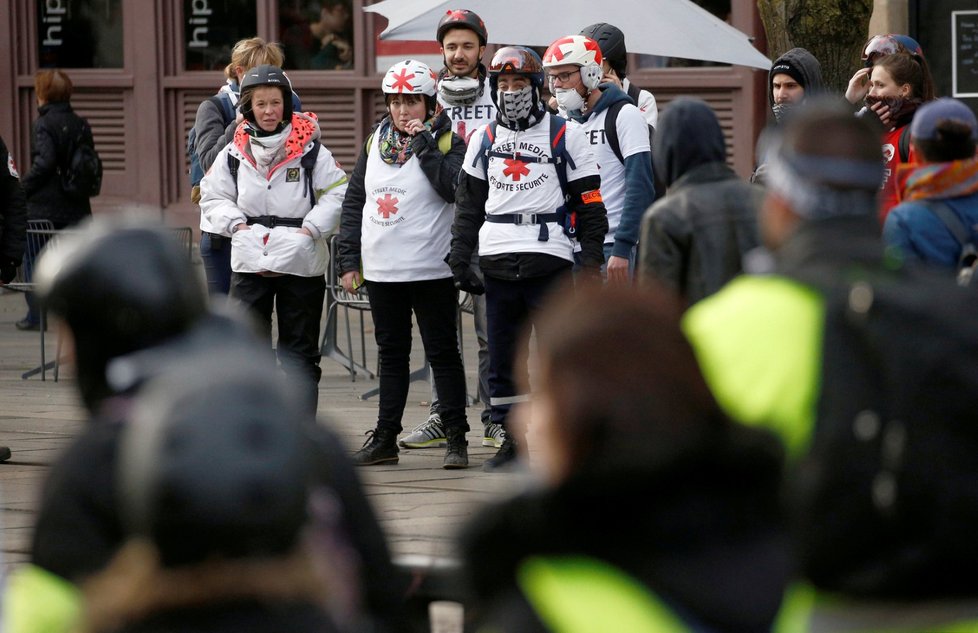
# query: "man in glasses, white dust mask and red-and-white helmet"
[[574, 68]]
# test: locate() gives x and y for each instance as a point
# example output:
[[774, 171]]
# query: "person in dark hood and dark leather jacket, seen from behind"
[[694, 239]]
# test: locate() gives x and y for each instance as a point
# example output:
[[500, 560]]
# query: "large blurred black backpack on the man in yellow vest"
[[886, 500]]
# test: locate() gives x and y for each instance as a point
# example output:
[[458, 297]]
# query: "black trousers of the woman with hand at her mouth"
[[434, 304]]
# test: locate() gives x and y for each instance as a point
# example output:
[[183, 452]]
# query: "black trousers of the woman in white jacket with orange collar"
[[298, 302]]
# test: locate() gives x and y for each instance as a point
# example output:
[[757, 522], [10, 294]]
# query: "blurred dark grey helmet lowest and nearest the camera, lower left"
[[214, 463]]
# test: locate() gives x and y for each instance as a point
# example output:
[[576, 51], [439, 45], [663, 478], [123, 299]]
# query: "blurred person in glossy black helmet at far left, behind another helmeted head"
[[126, 328]]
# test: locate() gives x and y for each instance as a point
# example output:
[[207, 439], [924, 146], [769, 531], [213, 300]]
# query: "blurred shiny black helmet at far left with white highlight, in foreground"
[[120, 287]]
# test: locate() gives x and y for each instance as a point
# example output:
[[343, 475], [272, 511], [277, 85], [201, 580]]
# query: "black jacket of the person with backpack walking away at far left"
[[55, 132]]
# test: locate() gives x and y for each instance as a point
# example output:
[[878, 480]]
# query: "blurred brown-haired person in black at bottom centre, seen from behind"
[[655, 512]]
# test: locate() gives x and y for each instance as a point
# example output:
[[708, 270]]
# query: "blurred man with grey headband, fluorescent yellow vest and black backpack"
[[868, 373]]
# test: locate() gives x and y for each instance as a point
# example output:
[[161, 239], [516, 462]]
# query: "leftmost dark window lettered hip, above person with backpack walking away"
[[79, 33]]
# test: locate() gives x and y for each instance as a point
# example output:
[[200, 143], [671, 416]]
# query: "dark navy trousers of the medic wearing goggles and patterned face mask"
[[510, 308]]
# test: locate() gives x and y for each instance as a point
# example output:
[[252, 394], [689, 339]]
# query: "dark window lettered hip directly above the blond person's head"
[[211, 29]]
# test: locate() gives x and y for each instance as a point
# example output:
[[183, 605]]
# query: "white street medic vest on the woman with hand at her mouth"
[[406, 225]]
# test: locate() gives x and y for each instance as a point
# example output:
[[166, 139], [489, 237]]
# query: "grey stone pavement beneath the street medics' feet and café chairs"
[[420, 505]]
